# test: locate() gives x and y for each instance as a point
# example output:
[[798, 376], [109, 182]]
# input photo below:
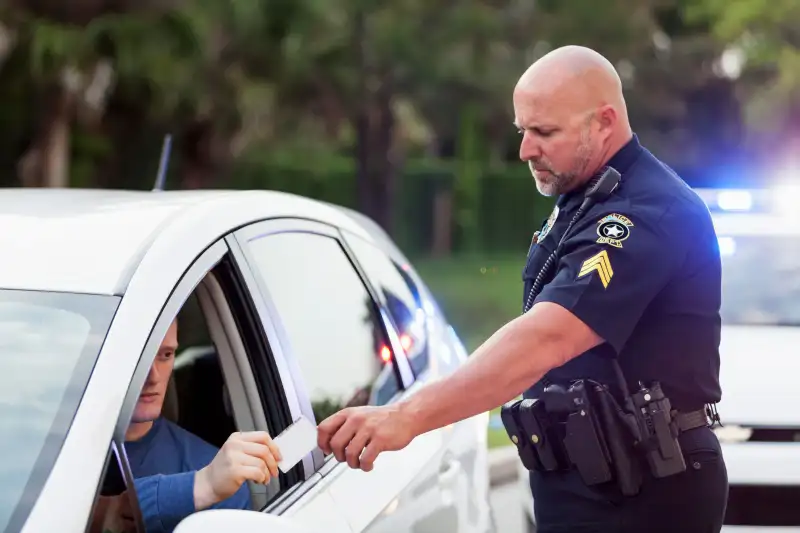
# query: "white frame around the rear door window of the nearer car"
[[262, 229]]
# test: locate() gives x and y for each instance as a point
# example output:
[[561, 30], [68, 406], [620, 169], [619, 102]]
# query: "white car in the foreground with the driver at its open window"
[[302, 306]]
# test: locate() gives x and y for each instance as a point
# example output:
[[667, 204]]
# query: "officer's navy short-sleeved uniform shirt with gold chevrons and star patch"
[[642, 269]]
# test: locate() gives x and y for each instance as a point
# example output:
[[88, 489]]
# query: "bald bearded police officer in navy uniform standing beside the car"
[[636, 278]]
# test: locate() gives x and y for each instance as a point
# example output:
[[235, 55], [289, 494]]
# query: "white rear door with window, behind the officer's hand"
[[343, 351]]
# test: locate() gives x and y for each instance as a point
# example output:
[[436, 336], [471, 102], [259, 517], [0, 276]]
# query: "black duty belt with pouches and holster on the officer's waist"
[[583, 427]]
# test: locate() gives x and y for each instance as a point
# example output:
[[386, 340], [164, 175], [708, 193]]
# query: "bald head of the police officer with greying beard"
[[570, 108]]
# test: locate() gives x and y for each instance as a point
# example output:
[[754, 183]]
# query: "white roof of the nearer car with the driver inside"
[[91, 240]]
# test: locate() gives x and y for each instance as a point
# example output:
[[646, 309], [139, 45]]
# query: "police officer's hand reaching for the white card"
[[370, 430]]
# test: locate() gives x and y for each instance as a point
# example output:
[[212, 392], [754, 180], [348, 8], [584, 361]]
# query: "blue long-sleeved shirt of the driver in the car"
[[163, 464]]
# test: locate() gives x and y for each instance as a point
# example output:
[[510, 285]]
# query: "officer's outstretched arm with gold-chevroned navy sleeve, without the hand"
[[610, 271]]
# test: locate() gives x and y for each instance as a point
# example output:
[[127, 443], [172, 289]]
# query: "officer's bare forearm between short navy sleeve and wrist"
[[503, 367]]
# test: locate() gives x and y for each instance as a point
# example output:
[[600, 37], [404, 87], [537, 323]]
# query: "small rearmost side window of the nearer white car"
[[400, 297]]
